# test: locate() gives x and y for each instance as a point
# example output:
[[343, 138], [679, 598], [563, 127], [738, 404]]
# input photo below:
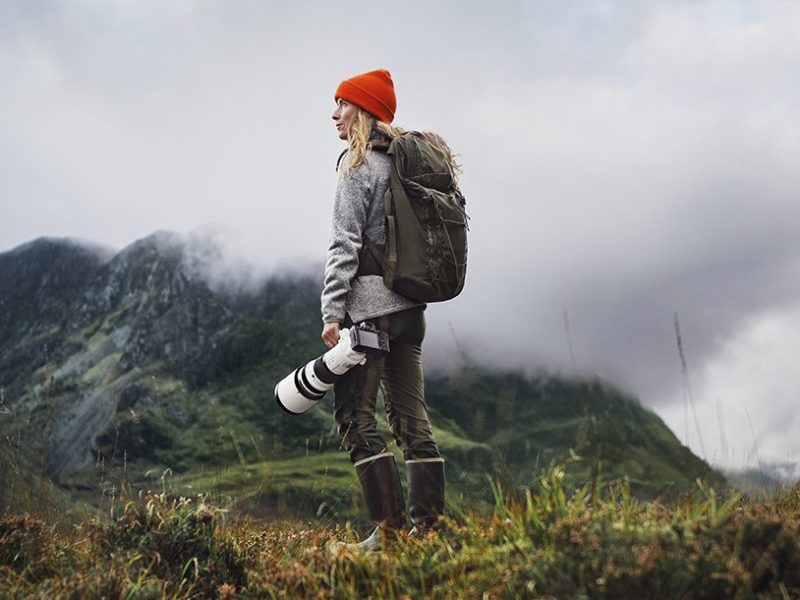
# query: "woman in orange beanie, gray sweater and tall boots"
[[354, 292]]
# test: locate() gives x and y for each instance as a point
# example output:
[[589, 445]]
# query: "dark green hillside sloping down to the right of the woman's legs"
[[534, 421]]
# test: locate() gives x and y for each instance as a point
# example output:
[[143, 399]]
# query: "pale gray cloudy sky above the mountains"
[[624, 163]]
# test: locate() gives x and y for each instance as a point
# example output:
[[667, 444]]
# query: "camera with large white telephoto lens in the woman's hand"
[[306, 385]]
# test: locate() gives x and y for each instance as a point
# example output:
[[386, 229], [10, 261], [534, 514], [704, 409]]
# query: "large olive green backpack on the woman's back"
[[425, 256]]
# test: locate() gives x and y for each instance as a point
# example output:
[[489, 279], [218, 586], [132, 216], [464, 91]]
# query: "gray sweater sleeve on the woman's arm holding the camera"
[[350, 207]]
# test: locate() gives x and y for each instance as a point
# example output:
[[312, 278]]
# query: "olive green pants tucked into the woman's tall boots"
[[400, 372]]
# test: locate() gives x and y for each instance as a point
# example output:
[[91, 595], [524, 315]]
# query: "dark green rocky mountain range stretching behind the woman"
[[138, 362]]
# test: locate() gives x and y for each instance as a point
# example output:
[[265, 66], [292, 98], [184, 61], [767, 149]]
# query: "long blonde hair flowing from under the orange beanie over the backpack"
[[360, 138]]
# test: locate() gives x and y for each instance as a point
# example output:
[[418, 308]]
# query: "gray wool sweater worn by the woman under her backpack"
[[358, 212]]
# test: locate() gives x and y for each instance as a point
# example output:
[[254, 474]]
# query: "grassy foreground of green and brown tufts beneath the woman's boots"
[[544, 543]]
